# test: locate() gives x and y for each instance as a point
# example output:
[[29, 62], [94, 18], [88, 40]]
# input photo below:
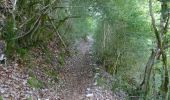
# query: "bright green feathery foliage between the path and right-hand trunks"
[[122, 33]]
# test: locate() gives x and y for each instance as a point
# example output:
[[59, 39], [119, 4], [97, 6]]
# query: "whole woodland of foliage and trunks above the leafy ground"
[[131, 37]]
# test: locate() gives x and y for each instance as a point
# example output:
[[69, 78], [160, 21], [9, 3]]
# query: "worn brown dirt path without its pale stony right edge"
[[77, 74]]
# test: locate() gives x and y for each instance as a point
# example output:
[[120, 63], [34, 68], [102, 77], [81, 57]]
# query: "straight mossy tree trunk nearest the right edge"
[[163, 31]]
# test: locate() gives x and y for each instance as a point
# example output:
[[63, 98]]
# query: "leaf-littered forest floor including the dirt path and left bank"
[[77, 80]]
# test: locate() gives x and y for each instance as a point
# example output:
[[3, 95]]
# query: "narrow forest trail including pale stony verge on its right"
[[78, 77]]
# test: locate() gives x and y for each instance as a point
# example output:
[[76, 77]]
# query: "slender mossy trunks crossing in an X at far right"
[[159, 52]]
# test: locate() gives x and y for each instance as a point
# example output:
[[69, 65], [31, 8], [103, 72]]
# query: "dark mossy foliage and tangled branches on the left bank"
[[30, 24]]
